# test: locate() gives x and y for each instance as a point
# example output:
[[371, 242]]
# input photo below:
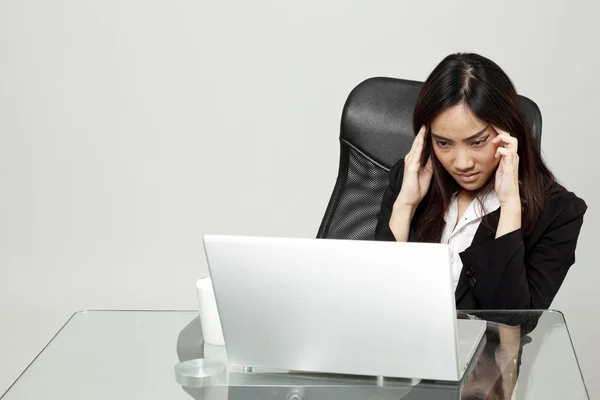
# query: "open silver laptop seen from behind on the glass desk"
[[340, 306]]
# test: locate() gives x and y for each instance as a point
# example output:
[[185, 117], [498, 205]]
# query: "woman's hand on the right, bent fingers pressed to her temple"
[[507, 174]]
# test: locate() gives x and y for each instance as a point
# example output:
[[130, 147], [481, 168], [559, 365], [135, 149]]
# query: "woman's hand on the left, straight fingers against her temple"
[[417, 178]]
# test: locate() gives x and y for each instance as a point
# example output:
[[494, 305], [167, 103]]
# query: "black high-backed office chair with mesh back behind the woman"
[[376, 131]]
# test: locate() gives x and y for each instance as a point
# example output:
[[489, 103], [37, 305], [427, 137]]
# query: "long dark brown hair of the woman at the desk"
[[480, 84]]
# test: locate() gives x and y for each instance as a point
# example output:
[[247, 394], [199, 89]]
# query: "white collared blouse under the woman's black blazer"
[[459, 234]]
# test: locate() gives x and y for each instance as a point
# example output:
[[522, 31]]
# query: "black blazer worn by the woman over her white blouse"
[[515, 271]]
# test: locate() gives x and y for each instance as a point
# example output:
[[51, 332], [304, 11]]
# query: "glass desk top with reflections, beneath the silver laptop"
[[133, 355]]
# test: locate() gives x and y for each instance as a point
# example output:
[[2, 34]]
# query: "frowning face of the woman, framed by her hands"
[[463, 145]]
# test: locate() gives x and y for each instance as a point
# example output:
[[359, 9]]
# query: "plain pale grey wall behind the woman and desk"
[[130, 128]]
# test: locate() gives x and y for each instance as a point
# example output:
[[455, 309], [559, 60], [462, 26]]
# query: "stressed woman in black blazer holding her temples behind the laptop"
[[474, 179]]
